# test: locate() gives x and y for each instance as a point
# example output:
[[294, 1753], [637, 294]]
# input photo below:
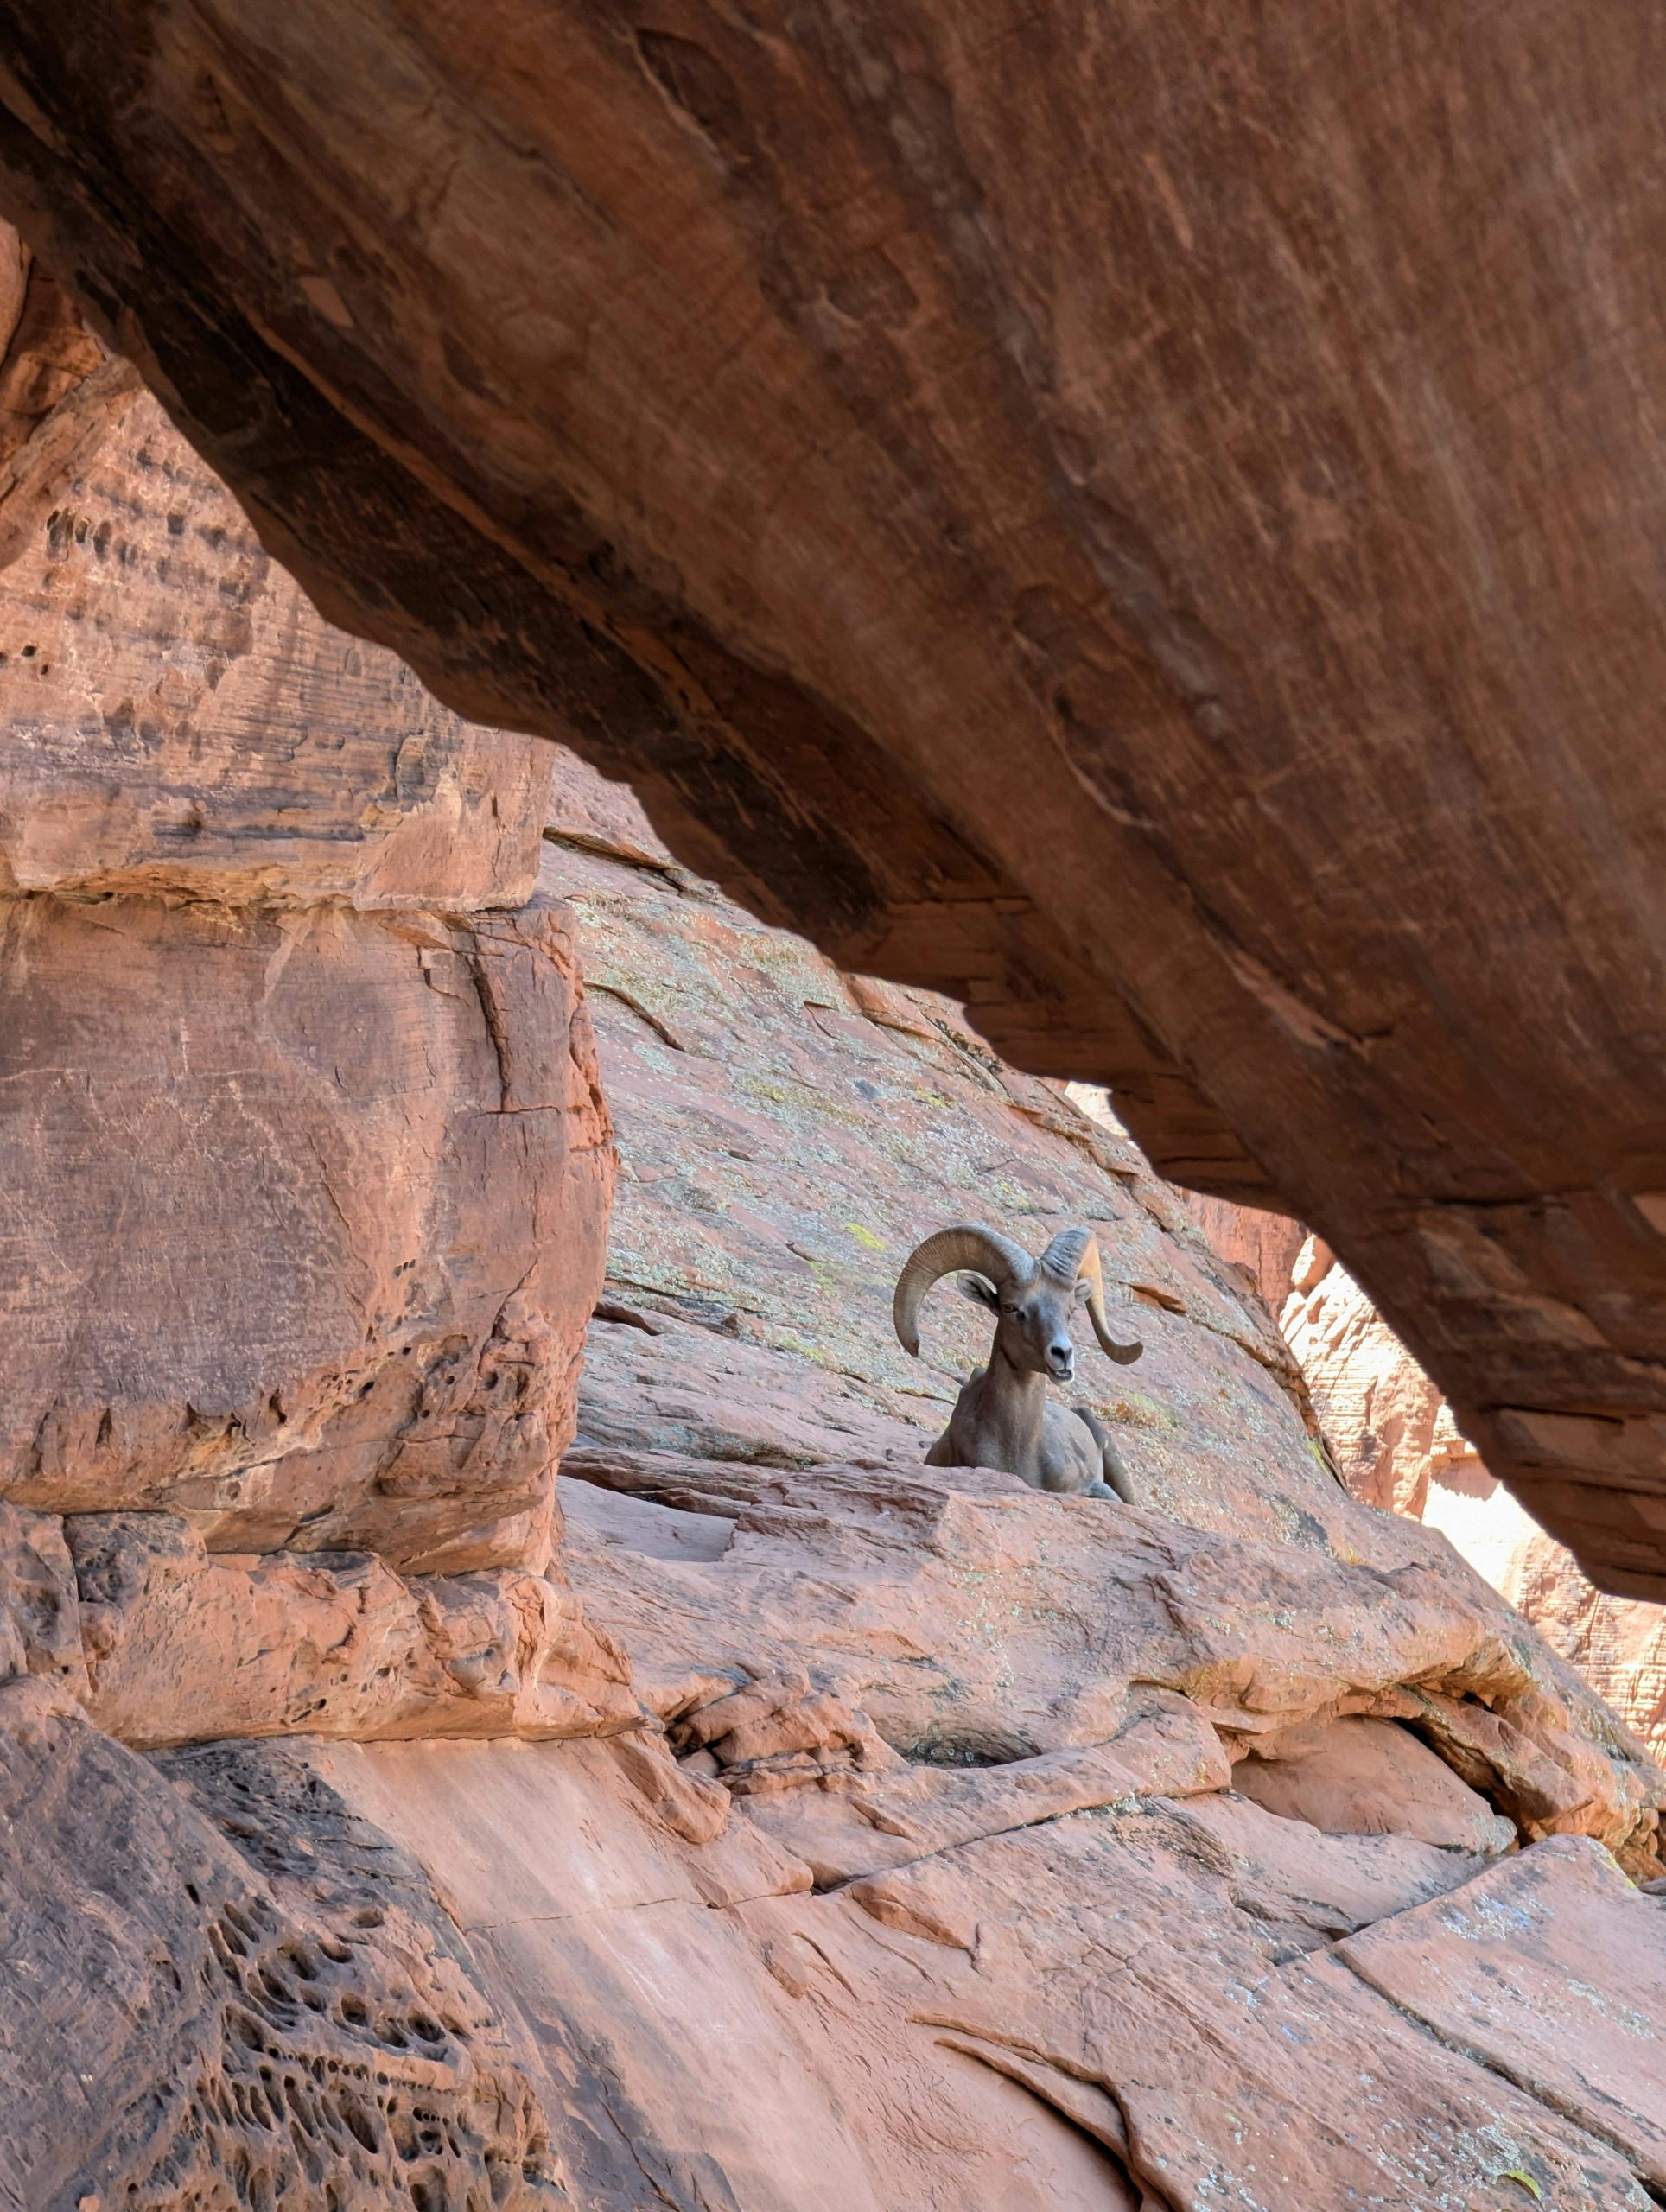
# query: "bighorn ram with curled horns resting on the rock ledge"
[[1003, 1417]]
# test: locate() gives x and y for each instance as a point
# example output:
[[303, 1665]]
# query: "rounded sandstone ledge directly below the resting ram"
[[966, 1620]]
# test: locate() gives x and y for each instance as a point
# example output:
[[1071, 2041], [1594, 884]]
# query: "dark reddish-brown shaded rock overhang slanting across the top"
[[1014, 552]]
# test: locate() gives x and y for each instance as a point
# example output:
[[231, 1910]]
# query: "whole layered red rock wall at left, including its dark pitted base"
[[306, 1185]]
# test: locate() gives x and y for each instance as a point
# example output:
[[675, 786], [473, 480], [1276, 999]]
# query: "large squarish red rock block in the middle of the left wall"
[[304, 1222]]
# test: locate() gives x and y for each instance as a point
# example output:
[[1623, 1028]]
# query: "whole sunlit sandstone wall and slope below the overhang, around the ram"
[[747, 1817]]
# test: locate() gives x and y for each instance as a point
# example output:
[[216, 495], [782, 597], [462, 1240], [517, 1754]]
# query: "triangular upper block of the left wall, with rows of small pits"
[[183, 722]]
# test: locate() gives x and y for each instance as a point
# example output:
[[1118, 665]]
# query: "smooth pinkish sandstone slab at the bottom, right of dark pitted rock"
[[860, 2049]]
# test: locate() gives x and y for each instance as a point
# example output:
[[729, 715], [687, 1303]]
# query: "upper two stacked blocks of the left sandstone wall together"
[[302, 1138]]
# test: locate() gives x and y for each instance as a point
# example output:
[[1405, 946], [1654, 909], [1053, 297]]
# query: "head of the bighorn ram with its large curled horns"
[[1032, 1300]]
